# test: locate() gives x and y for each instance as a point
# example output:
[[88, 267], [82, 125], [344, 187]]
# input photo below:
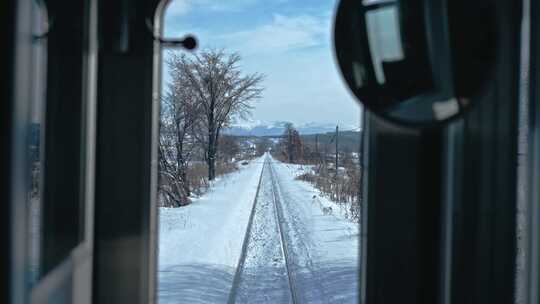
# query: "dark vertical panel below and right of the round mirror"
[[483, 226]]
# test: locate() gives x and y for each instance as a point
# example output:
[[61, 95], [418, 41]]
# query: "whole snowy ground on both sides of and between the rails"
[[200, 244]]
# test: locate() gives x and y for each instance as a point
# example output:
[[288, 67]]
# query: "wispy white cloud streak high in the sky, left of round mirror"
[[283, 34]]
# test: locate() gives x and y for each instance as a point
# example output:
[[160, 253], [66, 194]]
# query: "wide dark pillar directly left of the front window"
[[126, 169]]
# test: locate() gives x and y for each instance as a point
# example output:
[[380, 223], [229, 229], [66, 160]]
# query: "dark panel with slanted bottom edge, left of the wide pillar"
[[59, 80]]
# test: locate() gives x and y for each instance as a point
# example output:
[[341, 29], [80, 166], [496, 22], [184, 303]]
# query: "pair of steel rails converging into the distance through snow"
[[284, 247]]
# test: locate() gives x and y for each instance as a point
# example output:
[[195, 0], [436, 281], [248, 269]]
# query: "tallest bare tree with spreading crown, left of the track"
[[223, 92]]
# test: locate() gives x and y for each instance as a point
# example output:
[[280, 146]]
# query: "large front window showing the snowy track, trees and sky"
[[259, 157]]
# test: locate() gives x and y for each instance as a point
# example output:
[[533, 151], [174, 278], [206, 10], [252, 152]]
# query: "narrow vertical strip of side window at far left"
[[36, 143]]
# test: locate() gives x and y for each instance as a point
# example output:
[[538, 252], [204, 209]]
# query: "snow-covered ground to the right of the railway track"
[[325, 247]]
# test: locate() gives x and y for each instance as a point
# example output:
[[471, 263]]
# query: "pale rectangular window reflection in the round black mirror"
[[384, 38]]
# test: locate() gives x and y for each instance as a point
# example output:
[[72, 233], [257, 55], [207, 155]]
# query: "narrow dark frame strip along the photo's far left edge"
[[14, 122]]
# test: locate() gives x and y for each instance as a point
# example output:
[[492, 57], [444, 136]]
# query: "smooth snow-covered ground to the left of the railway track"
[[200, 244]]
